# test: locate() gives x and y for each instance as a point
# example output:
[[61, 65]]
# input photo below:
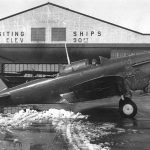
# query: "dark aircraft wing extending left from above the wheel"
[[96, 88]]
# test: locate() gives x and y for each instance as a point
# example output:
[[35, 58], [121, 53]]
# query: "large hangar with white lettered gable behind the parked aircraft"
[[35, 39]]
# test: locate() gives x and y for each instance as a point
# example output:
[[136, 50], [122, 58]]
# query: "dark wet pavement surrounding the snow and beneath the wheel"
[[126, 134]]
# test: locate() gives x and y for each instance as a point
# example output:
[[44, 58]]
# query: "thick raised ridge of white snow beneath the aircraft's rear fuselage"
[[23, 119]]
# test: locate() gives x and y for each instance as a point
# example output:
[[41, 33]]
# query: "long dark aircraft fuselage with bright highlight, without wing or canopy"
[[49, 90]]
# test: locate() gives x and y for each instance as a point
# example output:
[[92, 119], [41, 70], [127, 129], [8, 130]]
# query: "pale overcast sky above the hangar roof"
[[133, 14]]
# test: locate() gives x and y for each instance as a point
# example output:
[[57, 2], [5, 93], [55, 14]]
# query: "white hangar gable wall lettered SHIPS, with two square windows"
[[50, 23]]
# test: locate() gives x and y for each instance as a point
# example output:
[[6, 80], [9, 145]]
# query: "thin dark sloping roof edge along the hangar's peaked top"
[[48, 3]]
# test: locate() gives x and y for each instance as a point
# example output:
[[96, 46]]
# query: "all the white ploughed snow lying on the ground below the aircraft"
[[75, 128]]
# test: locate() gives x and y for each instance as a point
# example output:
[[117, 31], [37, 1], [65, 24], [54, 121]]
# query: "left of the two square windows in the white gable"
[[37, 34]]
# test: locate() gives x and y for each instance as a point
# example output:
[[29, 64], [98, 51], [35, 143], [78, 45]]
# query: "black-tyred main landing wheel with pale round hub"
[[127, 108]]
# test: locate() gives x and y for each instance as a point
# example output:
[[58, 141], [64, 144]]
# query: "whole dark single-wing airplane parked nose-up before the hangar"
[[80, 81]]
